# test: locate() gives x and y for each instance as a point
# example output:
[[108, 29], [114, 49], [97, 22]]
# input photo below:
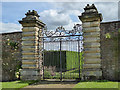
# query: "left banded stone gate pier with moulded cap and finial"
[[31, 50]]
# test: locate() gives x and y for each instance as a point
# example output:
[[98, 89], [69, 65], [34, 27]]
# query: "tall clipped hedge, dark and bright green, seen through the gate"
[[69, 59]]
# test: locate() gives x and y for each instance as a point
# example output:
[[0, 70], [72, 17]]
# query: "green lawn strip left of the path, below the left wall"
[[16, 84]]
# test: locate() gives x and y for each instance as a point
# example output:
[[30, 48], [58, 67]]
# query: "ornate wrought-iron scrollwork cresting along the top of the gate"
[[63, 34]]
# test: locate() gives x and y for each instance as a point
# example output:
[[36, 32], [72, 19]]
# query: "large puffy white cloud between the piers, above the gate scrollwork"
[[53, 19]]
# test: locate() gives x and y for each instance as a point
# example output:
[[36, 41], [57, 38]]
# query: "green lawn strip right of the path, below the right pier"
[[97, 84]]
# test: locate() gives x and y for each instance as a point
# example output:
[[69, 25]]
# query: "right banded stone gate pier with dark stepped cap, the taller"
[[91, 32]]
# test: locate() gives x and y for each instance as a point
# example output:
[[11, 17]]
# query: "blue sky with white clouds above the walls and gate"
[[53, 14]]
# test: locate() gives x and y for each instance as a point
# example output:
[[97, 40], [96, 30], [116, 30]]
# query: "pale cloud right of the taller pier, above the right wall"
[[109, 10]]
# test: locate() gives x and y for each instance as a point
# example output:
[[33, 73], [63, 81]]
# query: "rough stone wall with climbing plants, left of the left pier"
[[11, 55]]
